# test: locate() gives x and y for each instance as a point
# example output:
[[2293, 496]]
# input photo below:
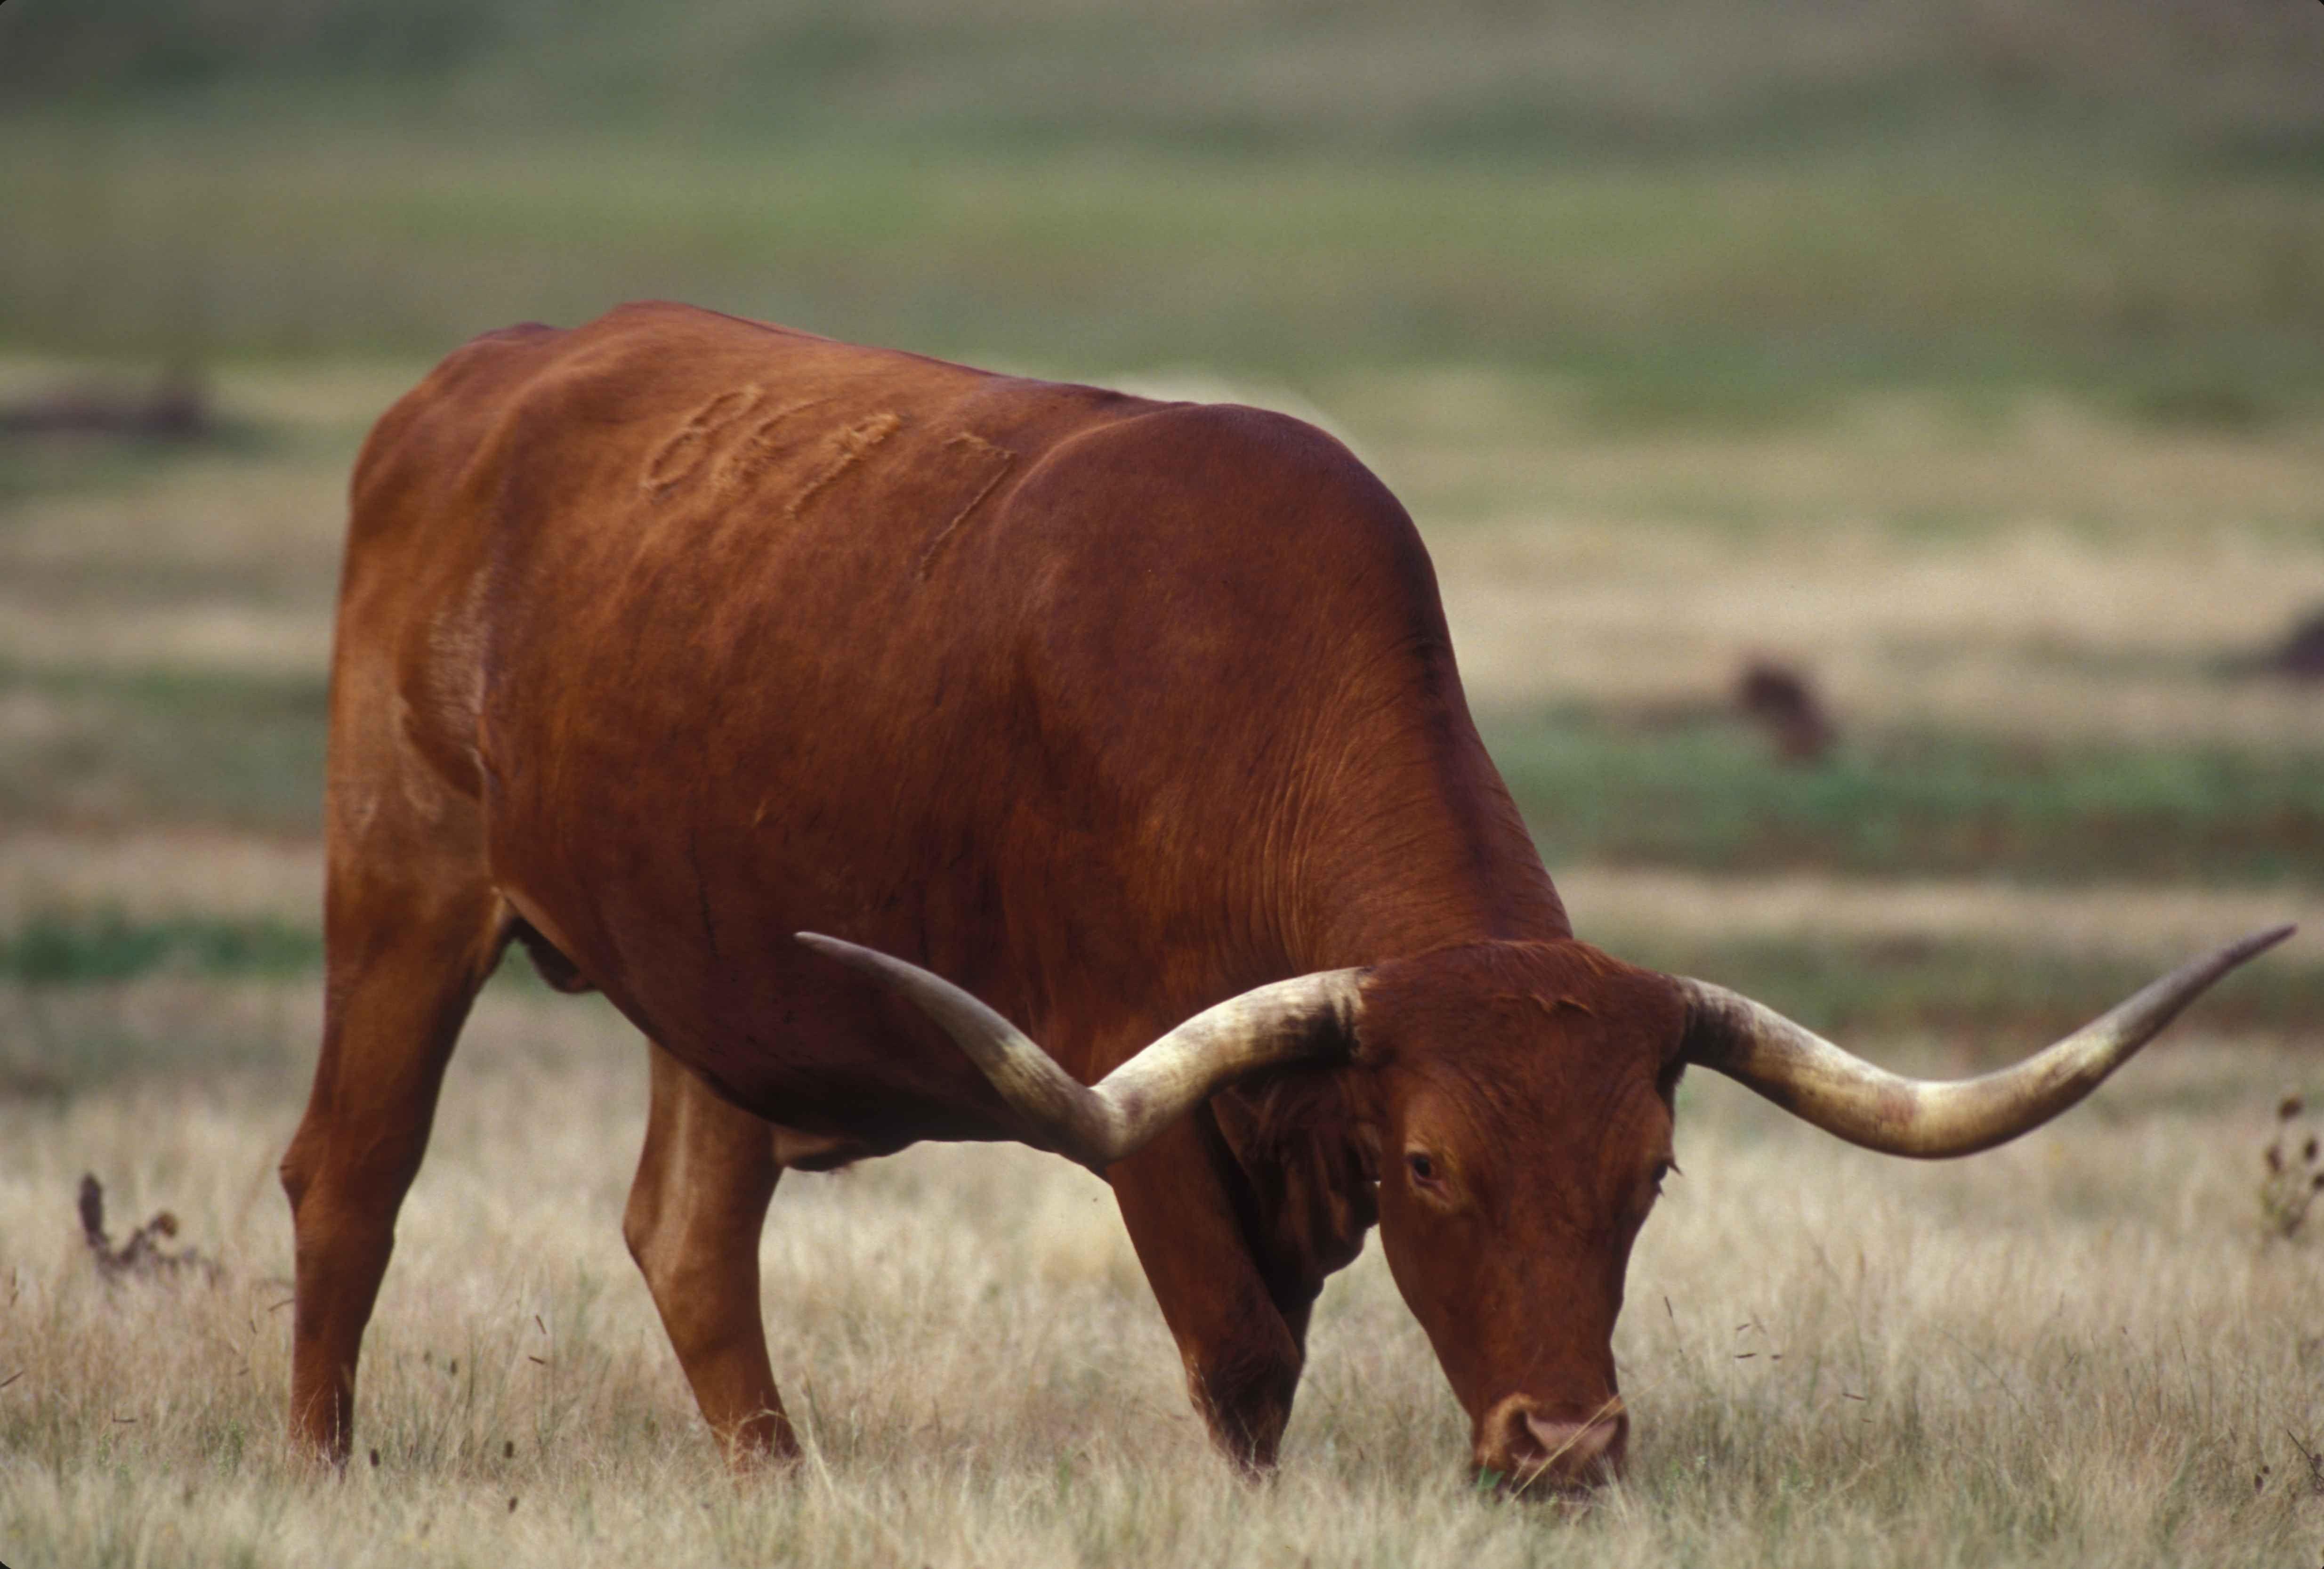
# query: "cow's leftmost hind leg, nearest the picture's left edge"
[[410, 931]]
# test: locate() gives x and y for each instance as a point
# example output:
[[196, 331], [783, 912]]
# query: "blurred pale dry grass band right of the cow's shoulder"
[[2051, 575]]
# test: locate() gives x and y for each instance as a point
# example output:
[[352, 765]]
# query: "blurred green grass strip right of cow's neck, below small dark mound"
[[1600, 787]]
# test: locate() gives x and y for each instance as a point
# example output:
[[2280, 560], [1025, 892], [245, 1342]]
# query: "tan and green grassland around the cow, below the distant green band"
[[2058, 773]]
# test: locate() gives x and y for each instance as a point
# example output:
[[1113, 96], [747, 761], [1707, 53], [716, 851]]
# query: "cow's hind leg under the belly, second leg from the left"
[[694, 1221]]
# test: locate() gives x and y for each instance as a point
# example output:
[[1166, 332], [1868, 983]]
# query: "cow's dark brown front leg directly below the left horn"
[[1242, 1354]]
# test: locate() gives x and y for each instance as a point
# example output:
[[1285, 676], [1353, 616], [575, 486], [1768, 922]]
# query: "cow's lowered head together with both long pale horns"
[[1516, 1101]]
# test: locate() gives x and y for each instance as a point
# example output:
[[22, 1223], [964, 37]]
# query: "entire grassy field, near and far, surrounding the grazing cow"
[[1958, 357]]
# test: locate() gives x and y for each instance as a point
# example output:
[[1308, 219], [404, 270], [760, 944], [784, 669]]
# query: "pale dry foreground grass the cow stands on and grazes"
[[2079, 1349]]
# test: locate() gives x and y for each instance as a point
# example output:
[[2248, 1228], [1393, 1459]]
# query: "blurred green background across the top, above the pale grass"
[[1684, 210]]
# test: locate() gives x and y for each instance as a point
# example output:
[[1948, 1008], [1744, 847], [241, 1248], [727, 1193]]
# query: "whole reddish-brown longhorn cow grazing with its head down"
[[673, 636]]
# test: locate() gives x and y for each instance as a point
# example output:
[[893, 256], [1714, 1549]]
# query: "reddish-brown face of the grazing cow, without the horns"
[[1519, 1110]]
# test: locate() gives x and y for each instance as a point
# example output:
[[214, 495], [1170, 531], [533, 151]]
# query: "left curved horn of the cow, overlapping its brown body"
[[1100, 1124]]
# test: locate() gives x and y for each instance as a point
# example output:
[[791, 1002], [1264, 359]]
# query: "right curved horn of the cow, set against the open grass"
[[1935, 1119]]
